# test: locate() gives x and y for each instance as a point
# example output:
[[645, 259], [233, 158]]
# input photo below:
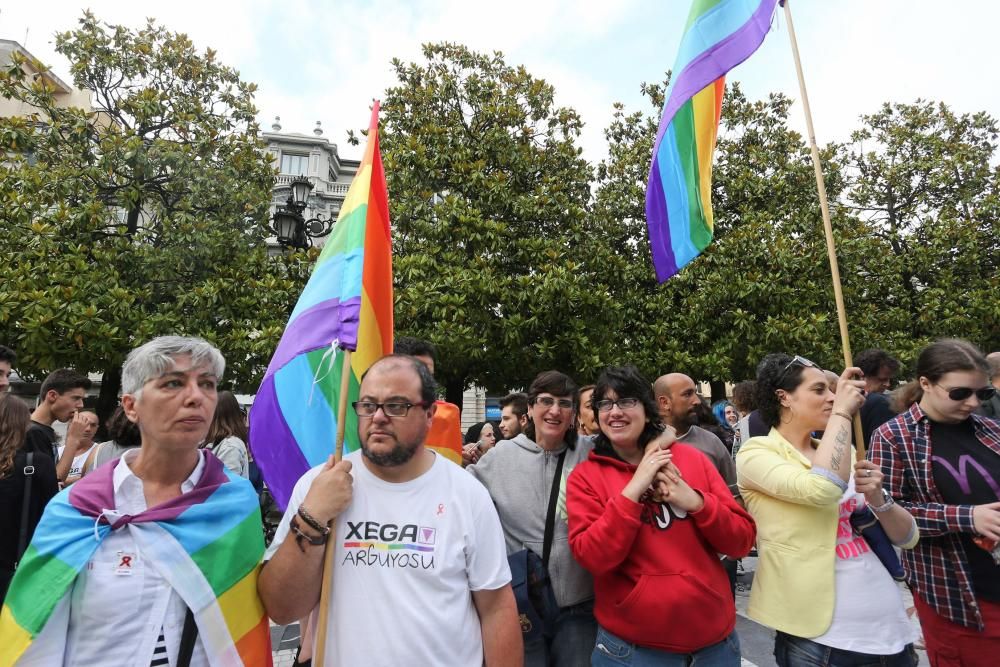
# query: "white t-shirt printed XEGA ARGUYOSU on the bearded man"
[[407, 558]]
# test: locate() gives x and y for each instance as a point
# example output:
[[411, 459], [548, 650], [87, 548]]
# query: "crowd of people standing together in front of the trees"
[[598, 525]]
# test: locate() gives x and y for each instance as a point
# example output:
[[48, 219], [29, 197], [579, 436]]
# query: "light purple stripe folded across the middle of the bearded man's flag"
[[318, 327]]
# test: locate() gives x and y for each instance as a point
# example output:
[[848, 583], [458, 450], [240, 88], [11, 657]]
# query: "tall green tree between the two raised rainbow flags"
[[494, 260]]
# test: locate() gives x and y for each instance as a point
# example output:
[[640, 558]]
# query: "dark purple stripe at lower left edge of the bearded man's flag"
[[274, 447]]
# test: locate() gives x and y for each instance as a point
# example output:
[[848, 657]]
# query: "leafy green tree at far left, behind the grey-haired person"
[[146, 216]]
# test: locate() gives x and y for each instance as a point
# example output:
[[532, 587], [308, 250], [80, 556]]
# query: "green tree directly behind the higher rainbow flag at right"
[[763, 284]]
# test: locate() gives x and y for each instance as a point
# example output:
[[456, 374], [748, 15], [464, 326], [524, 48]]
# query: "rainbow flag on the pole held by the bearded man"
[[346, 305]]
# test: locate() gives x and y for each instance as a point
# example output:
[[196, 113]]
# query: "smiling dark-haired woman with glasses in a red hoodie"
[[662, 596]]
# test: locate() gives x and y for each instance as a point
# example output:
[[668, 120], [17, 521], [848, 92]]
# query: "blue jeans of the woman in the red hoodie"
[[611, 650]]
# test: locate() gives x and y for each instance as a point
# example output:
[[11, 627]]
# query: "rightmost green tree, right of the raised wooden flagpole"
[[923, 183]]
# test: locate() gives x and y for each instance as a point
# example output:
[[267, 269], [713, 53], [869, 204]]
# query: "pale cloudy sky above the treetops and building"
[[325, 61]]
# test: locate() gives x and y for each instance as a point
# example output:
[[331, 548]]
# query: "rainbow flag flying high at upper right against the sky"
[[719, 35]]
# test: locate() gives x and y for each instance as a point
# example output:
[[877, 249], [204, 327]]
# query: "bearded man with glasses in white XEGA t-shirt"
[[420, 571]]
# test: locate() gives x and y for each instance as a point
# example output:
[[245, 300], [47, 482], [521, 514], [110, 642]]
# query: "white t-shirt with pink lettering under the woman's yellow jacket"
[[868, 612]]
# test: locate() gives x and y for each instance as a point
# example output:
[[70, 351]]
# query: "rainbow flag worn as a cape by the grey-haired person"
[[207, 543]]
